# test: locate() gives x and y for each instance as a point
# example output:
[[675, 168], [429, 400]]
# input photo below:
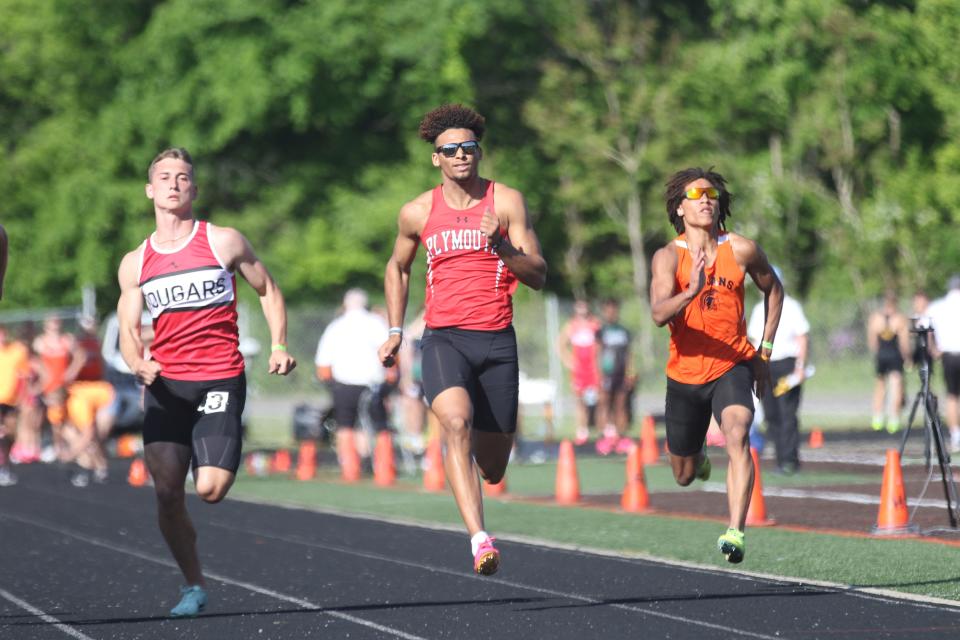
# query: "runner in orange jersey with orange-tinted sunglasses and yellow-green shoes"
[[697, 288]]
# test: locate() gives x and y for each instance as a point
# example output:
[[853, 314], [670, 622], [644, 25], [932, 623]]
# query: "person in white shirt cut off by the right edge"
[[945, 317]]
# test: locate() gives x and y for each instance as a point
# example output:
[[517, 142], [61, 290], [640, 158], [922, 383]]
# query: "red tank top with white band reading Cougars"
[[191, 296]]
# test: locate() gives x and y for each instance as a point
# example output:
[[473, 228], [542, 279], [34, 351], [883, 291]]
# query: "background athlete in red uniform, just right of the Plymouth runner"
[[578, 347]]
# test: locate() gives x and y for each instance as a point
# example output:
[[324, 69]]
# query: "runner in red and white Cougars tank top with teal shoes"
[[194, 375]]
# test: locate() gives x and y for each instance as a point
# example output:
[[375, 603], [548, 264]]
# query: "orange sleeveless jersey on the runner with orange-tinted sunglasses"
[[709, 337]]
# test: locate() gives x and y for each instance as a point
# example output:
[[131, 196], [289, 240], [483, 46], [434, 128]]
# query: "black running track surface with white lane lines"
[[90, 563]]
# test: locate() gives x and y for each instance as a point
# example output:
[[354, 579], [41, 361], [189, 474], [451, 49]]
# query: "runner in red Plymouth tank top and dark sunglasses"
[[479, 242]]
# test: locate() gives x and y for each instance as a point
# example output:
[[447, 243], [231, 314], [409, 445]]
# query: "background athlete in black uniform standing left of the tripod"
[[888, 336]]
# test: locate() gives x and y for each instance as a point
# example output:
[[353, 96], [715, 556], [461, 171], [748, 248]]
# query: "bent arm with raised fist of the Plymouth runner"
[[520, 250]]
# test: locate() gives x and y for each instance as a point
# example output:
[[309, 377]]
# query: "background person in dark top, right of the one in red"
[[617, 378]]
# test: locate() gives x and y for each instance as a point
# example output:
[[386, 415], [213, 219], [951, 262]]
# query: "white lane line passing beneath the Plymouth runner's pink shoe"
[[508, 583]]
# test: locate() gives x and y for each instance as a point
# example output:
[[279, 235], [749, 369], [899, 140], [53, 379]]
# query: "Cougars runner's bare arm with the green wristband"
[[237, 254]]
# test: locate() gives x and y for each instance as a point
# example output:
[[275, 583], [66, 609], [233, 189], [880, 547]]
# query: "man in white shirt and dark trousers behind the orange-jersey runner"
[[788, 358]]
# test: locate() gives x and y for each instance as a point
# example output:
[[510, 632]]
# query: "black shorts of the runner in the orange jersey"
[[688, 406]]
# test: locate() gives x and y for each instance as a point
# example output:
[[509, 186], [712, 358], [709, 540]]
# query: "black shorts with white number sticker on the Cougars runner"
[[203, 415]]
